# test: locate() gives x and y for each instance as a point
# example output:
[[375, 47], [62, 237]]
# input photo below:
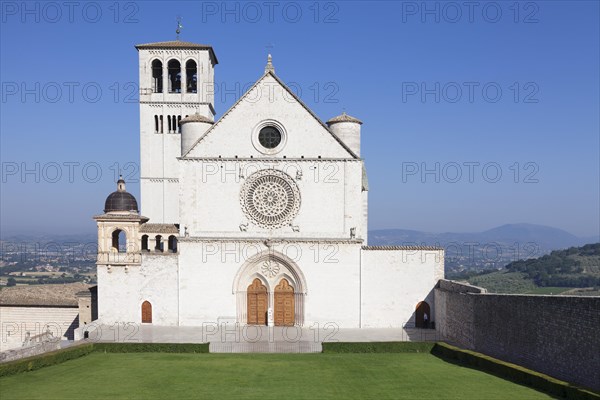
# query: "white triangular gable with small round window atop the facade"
[[269, 100]]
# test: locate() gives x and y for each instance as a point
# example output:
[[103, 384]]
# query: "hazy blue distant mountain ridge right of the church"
[[547, 238]]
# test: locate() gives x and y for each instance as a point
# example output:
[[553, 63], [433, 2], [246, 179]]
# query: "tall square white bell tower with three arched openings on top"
[[176, 80]]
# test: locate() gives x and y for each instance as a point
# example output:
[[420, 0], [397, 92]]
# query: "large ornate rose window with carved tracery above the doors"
[[270, 199]]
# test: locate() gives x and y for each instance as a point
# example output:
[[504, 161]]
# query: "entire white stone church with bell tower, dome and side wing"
[[259, 217]]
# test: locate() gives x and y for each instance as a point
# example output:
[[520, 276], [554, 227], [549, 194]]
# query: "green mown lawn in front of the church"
[[264, 376]]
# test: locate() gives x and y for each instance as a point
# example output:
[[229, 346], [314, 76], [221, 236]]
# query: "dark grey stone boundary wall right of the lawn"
[[555, 335]]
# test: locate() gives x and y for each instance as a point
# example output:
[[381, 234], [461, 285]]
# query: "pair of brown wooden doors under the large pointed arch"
[[284, 307]]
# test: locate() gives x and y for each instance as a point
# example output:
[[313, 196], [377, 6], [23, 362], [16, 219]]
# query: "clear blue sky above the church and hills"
[[504, 87]]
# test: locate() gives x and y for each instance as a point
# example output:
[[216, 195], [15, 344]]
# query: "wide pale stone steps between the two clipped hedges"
[[265, 347]]
